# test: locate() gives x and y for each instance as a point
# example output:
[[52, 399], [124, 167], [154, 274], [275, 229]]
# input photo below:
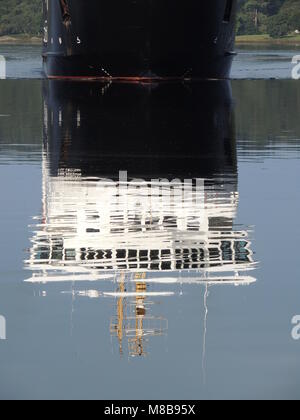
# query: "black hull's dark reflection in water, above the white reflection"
[[166, 131]]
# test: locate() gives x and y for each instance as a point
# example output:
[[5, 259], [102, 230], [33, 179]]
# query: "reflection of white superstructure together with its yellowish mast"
[[144, 237]]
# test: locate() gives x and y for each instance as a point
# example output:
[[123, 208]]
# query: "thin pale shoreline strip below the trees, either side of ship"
[[292, 40]]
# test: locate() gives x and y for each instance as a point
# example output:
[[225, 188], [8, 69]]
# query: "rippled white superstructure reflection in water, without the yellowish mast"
[[93, 228]]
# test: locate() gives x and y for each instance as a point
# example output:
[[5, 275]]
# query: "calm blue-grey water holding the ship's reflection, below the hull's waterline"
[[149, 240]]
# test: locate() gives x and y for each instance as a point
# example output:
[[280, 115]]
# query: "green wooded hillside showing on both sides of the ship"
[[275, 17]]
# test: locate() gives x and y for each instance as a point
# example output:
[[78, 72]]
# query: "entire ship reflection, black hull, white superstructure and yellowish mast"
[[139, 189]]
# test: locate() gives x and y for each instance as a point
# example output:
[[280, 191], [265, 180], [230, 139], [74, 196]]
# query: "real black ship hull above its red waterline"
[[139, 40]]
